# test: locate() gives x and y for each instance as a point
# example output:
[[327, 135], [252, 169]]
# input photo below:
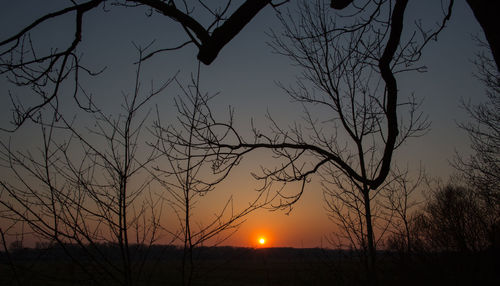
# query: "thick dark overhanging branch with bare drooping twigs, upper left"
[[44, 72]]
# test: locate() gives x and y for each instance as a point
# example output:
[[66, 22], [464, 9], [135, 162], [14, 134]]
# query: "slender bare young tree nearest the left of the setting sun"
[[191, 173]]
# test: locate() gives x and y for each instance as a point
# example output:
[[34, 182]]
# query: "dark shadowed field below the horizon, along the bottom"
[[246, 266]]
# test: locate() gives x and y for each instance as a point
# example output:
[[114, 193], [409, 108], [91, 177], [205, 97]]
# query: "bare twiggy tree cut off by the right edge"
[[481, 170]]
